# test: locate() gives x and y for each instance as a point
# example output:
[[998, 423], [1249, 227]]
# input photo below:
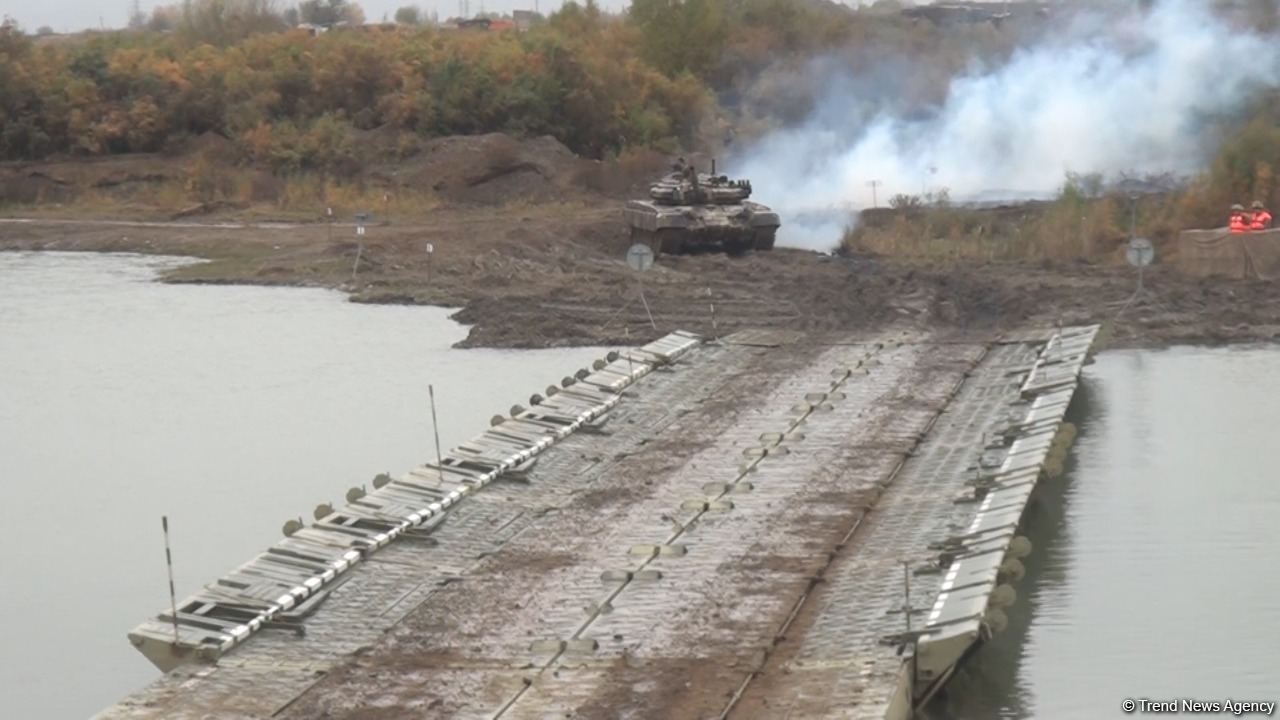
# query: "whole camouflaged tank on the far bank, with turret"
[[692, 212]]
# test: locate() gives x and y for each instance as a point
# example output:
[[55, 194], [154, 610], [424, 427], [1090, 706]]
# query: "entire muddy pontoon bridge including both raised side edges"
[[769, 526]]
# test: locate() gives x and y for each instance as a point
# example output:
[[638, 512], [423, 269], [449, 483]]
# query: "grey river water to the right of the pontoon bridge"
[[1154, 573]]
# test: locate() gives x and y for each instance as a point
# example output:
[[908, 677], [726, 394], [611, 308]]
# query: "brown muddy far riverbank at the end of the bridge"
[[552, 275]]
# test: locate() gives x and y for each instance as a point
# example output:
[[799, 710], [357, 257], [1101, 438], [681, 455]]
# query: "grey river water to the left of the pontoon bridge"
[[228, 409]]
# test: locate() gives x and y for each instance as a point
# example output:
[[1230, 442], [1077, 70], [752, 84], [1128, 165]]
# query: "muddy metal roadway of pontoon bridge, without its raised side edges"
[[668, 567]]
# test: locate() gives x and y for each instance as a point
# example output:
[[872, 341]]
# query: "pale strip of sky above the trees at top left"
[[70, 16]]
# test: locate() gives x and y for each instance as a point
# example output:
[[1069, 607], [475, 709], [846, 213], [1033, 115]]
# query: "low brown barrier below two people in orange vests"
[[1255, 256]]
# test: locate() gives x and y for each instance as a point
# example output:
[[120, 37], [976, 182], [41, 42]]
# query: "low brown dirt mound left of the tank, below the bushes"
[[493, 170]]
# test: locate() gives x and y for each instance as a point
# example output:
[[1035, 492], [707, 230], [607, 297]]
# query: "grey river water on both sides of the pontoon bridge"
[[232, 409]]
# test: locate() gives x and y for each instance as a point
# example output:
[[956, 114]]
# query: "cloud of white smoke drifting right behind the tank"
[[1105, 95]]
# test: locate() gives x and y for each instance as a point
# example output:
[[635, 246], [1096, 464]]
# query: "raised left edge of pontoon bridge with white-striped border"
[[284, 585]]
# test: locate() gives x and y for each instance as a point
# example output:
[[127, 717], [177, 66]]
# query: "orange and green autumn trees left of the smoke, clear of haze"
[[295, 99]]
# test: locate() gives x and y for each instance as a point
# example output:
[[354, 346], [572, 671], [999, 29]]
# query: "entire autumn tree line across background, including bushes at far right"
[[664, 75]]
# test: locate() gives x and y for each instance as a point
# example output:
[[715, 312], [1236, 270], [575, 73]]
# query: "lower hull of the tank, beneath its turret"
[[700, 229]]
